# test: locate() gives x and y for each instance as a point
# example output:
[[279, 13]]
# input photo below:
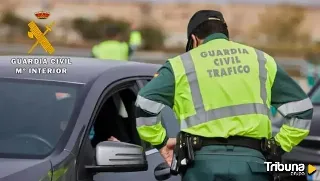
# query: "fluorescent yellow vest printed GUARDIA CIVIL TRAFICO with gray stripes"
[[223, 83]]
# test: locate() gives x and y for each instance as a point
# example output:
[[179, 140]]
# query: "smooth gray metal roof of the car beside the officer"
[[81, 70]]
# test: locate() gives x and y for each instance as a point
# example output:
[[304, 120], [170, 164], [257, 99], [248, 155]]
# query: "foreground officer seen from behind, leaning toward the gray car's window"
[[221, 92]]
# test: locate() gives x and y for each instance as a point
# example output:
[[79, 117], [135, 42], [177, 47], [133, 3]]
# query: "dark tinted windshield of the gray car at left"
[[34, 115]]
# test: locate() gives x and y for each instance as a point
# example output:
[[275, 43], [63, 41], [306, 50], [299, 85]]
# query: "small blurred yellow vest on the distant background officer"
[[112, 50]]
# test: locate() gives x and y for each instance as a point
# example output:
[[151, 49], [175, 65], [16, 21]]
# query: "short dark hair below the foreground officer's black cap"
[[209, 27]]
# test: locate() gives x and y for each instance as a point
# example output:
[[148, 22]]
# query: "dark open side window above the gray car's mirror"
[[117, 119]]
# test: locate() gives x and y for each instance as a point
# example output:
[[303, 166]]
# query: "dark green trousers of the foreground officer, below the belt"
[[227, 163]]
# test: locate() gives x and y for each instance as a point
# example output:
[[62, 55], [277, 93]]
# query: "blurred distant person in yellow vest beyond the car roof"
[[113, 47]]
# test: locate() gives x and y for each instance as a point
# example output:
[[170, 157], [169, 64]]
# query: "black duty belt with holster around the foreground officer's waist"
[[187, 144]]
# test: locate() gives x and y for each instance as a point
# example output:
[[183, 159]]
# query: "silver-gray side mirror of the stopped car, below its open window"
[[113, 156]]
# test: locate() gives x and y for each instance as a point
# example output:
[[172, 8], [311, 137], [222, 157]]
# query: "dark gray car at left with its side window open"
[[46, 119]]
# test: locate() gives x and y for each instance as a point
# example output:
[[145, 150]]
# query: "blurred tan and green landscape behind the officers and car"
[[287, 30]]
